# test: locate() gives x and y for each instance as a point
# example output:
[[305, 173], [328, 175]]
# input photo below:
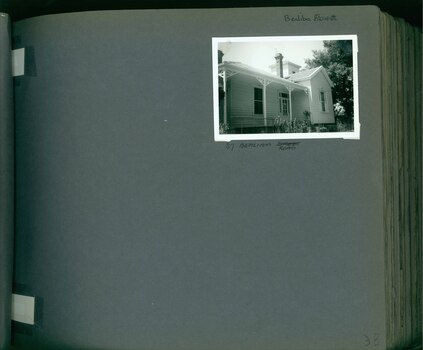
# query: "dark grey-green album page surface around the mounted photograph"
[[141, 233]]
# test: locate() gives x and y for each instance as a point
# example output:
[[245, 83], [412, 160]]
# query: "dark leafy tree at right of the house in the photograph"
[[336, 58]]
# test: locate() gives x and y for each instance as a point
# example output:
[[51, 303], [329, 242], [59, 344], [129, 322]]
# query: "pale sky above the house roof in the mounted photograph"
[[261, 54]]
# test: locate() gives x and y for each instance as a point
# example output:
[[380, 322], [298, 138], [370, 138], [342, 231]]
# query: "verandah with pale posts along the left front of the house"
[[251, 100]]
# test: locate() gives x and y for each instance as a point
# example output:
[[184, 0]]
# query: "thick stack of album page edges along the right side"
[[401, 49]]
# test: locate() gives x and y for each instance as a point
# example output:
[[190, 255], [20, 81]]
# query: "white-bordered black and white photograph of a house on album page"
[[285, 87]]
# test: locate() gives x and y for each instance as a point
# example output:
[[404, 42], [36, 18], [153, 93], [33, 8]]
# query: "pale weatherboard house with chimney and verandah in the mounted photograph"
[[253, 99]]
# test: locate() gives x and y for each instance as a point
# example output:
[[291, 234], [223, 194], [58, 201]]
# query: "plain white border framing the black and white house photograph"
[[354, 135]]
